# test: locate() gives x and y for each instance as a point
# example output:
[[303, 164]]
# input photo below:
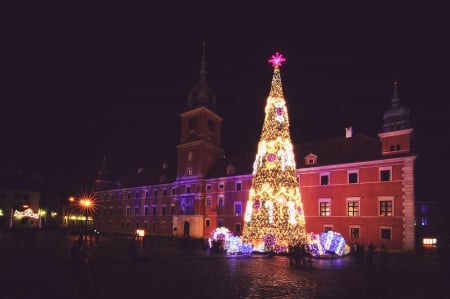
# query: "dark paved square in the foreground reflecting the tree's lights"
[[40, 265]]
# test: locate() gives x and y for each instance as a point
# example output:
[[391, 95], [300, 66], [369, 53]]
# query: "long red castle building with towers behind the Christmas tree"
[[359, 186]]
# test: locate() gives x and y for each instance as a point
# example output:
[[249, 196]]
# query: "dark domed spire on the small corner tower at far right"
[[396, 117]]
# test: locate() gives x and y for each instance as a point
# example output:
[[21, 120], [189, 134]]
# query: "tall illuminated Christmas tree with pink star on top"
[[274, 216]]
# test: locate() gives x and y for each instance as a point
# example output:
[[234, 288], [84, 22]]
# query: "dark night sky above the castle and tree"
[[81, 82]]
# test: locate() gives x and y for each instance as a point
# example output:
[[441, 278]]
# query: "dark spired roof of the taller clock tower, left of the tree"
[[202, 94]]
